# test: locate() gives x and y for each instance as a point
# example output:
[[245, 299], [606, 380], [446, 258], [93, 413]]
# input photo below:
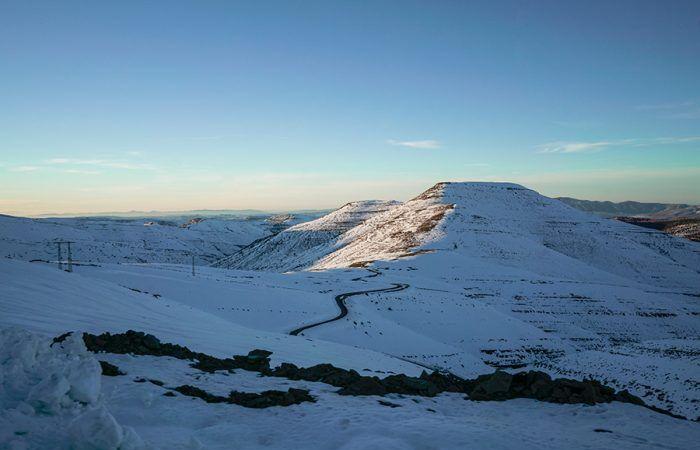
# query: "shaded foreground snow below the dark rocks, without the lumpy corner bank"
[[338, 422]]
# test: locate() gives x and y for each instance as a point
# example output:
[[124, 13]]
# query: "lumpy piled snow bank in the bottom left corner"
[[50, 396]]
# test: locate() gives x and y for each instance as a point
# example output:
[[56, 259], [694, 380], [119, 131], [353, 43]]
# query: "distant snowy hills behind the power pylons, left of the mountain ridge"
[[111, 240]]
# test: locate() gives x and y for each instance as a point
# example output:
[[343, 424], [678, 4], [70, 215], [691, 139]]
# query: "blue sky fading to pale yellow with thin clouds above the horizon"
[[174, 105]]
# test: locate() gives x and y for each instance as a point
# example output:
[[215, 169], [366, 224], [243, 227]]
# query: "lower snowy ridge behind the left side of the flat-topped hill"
[[298, 246]]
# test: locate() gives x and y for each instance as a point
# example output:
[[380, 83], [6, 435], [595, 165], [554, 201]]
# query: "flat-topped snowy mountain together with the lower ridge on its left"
[[499, 223]]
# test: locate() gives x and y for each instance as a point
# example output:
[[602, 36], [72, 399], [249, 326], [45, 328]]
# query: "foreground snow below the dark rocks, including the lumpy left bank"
[[130, 415]]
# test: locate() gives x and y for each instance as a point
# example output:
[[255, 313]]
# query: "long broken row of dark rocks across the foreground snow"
[[497, 386]]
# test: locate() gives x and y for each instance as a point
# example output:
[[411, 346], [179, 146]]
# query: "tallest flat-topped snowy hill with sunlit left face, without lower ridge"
[[509, 225]]
